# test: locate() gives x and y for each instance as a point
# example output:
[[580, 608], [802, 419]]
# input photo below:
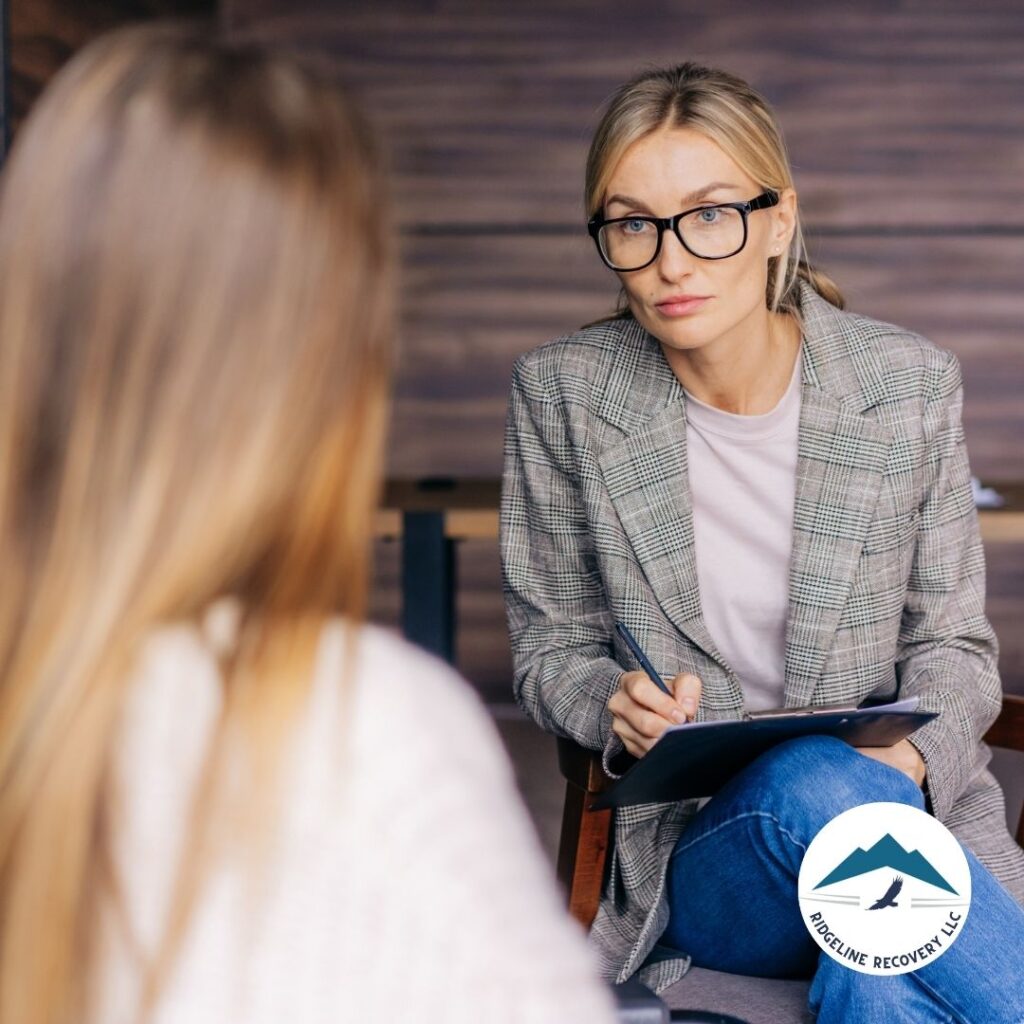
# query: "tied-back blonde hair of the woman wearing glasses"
[[728, 111]]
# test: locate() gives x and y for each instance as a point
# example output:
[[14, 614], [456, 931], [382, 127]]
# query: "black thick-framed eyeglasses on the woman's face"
[[708, 232]]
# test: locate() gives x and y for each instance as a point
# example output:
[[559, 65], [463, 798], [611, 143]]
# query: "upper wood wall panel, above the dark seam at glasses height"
[[895, 115]]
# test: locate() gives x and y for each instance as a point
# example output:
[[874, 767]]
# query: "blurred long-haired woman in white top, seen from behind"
[[205, 758]]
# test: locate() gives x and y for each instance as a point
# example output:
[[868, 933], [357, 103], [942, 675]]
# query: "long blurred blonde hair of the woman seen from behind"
[[195, 359]]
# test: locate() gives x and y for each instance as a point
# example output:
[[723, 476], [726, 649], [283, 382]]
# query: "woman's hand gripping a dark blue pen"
[[645, 706]]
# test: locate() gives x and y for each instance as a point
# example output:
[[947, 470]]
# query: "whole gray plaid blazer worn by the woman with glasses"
[[886, 581]]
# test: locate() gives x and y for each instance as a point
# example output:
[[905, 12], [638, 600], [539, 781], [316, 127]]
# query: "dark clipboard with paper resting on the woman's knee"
[[697, 759]]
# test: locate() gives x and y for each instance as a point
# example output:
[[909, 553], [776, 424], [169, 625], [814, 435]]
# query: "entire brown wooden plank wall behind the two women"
[[905, 124]]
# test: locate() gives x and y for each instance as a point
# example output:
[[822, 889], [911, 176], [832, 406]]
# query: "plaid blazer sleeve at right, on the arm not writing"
[[948, 649]]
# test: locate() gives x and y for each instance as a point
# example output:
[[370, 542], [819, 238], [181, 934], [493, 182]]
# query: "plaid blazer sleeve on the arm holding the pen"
[[560, 622]]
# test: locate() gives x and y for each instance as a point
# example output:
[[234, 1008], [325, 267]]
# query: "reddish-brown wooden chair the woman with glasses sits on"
[[586, 837]]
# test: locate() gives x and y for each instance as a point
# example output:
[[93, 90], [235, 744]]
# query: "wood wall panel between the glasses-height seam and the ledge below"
[[473, 305]]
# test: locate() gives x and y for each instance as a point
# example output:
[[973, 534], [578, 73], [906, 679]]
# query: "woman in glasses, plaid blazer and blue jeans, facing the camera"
[[773, 495]]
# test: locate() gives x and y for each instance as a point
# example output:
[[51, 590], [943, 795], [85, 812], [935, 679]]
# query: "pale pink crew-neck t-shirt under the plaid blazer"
[[743, 473]]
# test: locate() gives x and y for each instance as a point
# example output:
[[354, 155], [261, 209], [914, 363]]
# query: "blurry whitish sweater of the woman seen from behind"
[[406, 880]]
